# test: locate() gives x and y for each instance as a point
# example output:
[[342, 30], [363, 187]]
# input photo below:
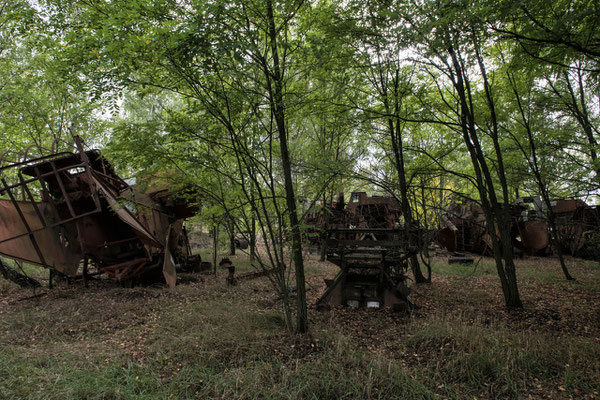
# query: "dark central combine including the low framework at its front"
[[364, 240]]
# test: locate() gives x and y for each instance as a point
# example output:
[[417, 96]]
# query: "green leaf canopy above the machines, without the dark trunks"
[[193, 72]]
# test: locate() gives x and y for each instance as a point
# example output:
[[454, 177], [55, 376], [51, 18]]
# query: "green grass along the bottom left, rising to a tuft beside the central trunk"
[[212, 350]]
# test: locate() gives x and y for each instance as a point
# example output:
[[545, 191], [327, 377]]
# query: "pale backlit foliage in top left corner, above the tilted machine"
[[41, 101]]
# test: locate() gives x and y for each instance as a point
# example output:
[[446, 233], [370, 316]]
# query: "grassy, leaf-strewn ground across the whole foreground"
[[208, 341]]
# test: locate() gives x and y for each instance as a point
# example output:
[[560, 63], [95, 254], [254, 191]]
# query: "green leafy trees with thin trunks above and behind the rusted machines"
[[268, 107]]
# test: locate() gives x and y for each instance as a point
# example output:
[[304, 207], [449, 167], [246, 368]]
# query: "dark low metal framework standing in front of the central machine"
[[373, 267]]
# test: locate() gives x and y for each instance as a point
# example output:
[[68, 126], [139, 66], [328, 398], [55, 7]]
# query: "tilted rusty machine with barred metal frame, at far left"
[[75, 209]]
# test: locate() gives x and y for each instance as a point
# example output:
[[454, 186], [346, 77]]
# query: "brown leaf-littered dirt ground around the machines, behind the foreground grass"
[[459, 295]]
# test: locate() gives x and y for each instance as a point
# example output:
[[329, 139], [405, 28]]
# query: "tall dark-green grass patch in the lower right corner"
[[505, 363]]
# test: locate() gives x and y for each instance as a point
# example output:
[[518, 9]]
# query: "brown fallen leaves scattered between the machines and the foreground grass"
[[105, 316]]
